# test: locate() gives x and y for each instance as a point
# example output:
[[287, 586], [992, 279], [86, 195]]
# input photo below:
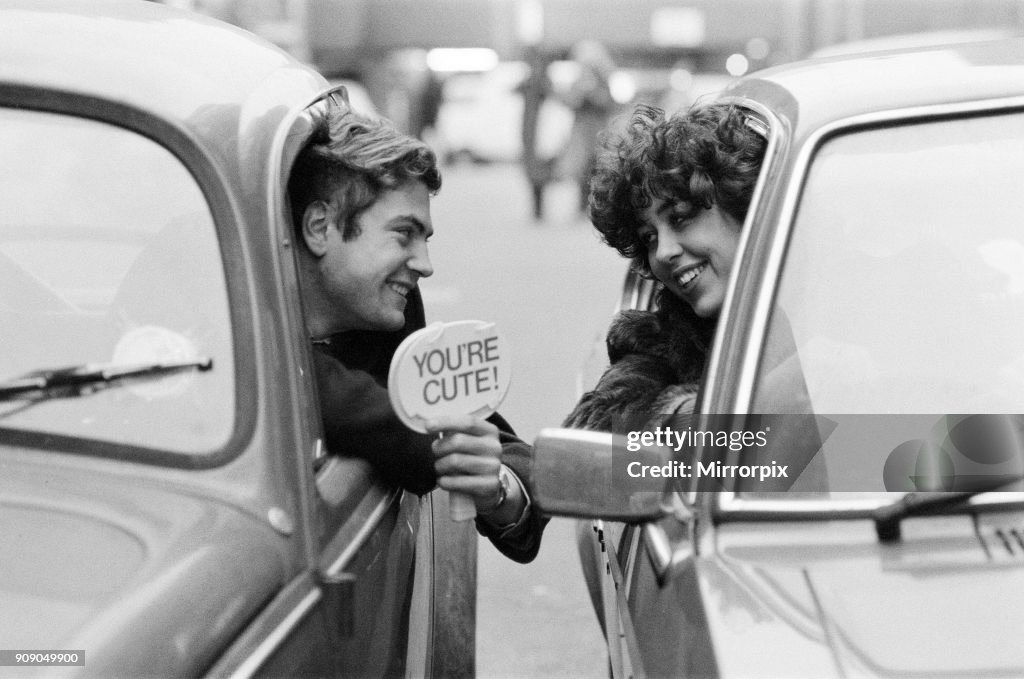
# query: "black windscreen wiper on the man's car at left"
[[80, 380]]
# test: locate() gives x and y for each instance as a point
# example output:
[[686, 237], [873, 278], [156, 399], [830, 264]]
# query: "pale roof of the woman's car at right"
[[813, 94]]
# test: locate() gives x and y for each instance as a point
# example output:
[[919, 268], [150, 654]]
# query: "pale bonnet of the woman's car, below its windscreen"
[[820, 589]]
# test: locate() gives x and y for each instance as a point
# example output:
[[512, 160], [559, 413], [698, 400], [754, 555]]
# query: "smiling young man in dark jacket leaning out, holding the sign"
[[361, 205]]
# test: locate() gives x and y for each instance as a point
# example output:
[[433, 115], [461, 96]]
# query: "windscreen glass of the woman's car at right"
[[901, 313]]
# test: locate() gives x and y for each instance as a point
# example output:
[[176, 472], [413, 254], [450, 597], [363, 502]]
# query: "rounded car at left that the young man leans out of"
[[167, 506]]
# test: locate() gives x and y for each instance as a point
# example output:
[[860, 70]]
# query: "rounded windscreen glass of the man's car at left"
[[109, 256]]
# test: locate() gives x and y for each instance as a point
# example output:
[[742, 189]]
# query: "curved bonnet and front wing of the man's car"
[[150, 567]]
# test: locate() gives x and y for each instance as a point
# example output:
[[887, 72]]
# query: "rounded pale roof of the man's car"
[[173, 64]]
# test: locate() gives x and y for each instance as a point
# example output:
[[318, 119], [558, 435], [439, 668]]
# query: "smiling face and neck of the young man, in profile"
[[367, 279]]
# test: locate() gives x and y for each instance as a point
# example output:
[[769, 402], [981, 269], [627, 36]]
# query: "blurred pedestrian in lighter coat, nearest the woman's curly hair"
[[592, 105]]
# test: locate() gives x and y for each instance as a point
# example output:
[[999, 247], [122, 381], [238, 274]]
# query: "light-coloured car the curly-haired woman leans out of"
[[884, 244]]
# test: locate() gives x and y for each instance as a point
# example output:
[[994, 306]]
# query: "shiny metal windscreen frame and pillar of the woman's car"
[[751, 298]]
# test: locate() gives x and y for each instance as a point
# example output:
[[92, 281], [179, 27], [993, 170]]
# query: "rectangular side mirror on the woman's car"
[[573, 477]]
